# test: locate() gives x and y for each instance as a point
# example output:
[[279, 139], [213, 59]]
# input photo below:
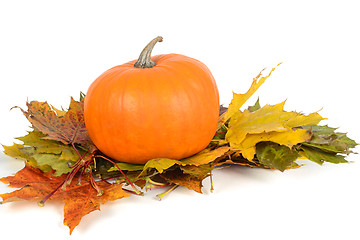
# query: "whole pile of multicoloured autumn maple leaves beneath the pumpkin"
[[266, 137]]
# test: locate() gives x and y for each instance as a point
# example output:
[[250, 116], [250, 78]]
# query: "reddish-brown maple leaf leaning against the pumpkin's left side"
[[68, 127]]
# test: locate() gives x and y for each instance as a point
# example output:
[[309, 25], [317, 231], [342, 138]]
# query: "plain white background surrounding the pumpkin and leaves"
[[51, 50]]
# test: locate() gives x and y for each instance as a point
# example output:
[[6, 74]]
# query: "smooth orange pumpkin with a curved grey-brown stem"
[[165, 106]]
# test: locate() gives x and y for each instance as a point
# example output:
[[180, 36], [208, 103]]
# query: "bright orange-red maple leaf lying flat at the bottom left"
[[79, 199]]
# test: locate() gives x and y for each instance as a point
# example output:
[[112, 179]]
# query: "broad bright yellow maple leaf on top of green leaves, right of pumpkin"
[[269, 123]]
